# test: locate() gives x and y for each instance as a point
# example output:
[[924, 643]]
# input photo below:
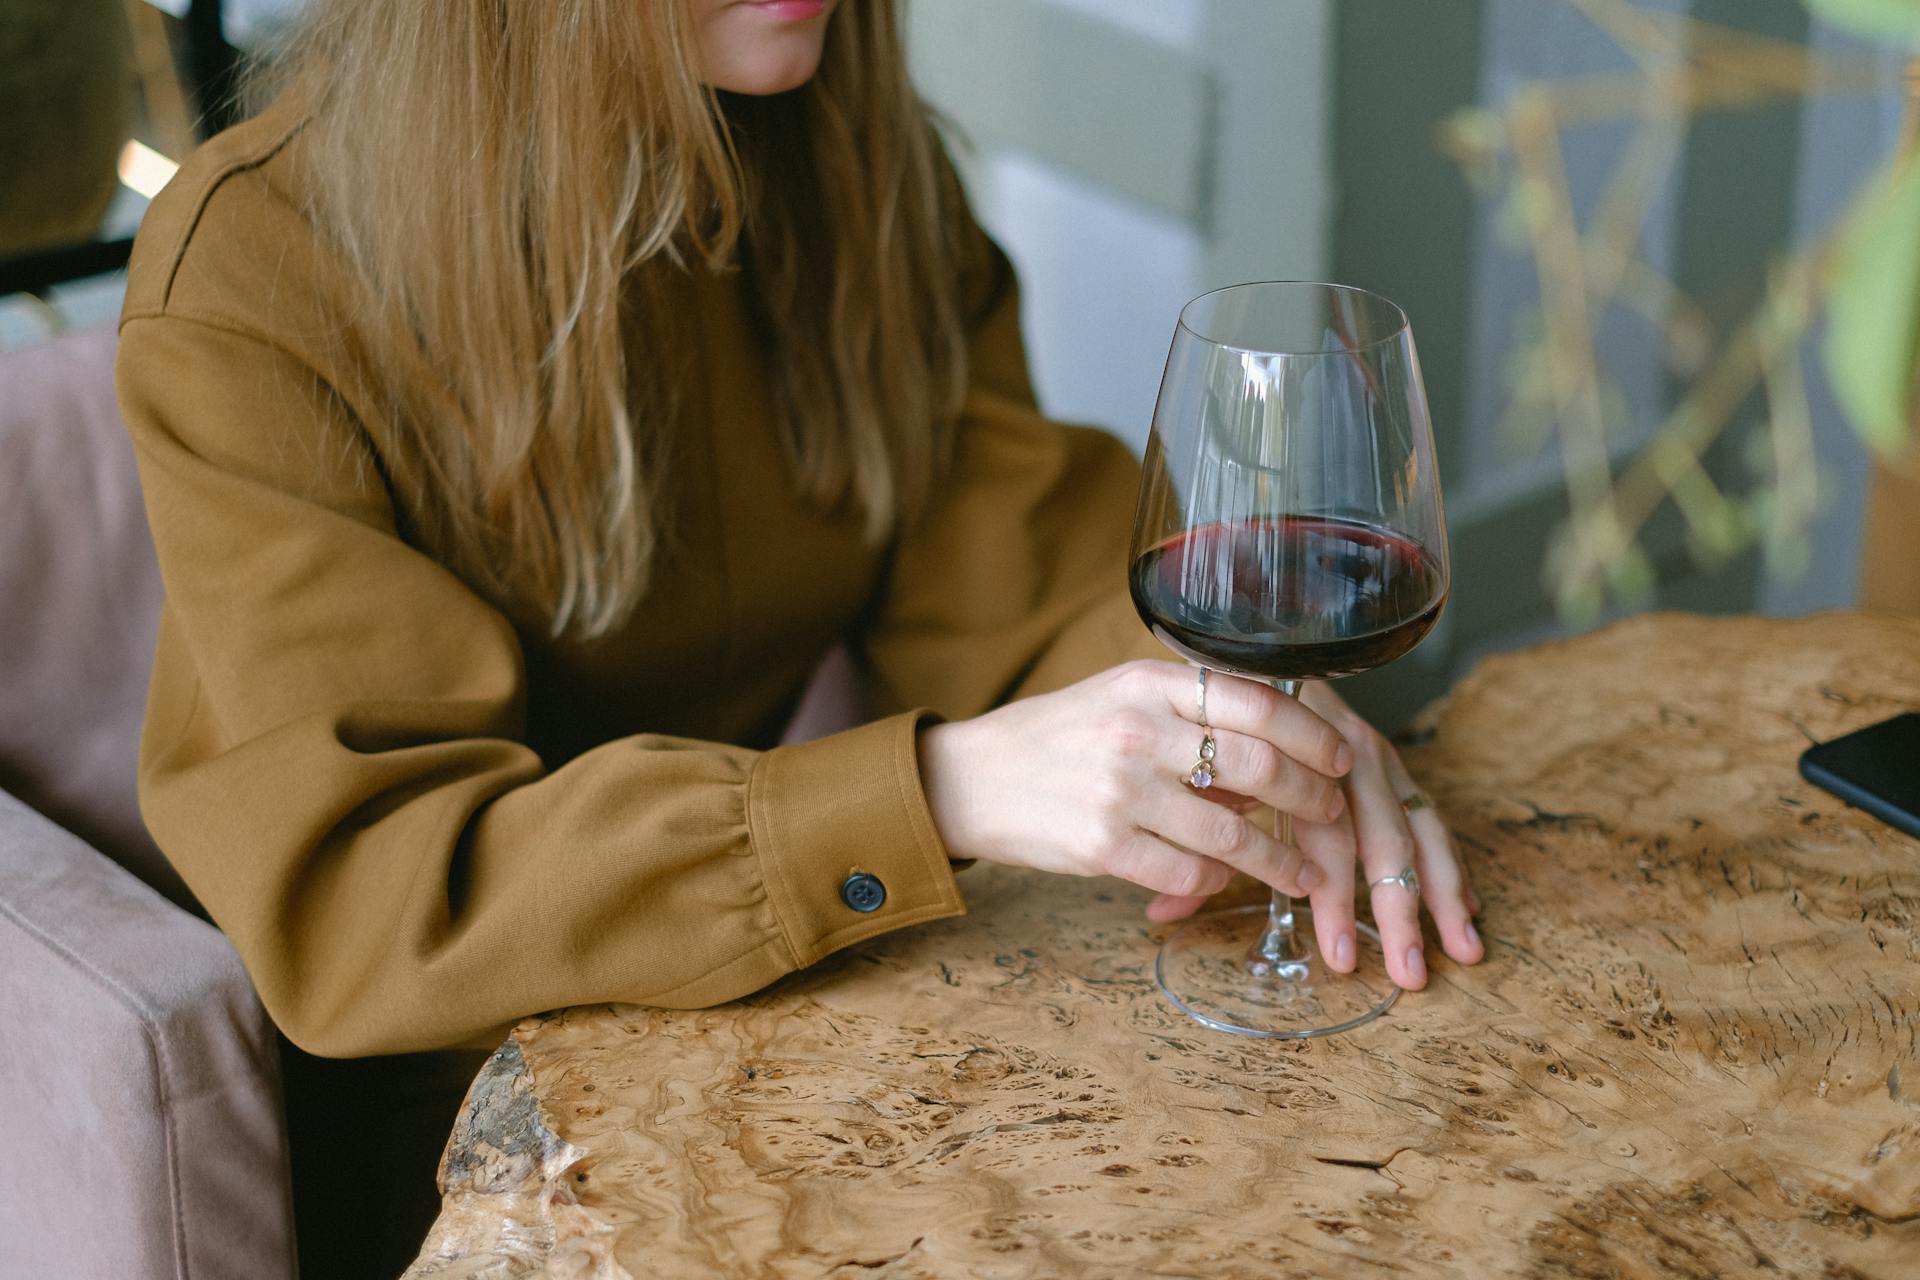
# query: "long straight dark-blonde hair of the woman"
[[523, 185]]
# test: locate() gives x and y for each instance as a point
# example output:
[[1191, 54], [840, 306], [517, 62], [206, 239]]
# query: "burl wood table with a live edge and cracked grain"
[[1691, 1053]]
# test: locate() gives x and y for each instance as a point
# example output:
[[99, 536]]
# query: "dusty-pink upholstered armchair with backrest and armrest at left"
[[139, 1079]]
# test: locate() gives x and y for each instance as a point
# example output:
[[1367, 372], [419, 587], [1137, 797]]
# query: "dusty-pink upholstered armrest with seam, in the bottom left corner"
[[139, 1078]]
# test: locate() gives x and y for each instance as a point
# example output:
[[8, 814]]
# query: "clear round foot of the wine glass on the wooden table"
[[1205, 974]]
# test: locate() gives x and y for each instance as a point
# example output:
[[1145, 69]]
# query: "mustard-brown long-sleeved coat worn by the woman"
[[421, 820]]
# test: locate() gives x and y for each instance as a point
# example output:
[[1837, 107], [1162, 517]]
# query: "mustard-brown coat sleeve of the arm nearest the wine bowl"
[[1015, 581]]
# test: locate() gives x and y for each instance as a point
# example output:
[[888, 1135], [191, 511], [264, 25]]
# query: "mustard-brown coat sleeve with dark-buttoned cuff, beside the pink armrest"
[[333, 755]]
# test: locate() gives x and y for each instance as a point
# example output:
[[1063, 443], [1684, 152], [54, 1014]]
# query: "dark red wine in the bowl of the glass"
[[1289, 598]]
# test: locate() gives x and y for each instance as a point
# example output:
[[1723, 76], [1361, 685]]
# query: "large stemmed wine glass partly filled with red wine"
[[1289, 529]]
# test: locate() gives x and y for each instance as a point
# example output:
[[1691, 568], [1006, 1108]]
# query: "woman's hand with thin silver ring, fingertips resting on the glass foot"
[[1387, 840]]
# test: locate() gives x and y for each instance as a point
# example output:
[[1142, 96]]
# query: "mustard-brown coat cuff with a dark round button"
[[827, 813]]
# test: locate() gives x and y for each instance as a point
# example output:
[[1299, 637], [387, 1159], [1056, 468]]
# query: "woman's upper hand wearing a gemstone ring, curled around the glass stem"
[[1092, 782]]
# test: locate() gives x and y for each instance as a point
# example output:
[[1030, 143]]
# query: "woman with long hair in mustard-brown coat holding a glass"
[[527, 402]]
